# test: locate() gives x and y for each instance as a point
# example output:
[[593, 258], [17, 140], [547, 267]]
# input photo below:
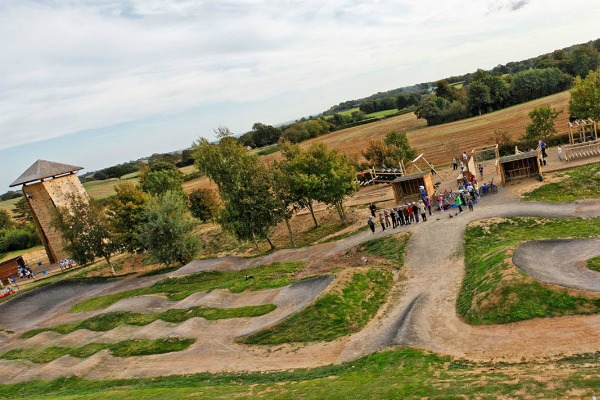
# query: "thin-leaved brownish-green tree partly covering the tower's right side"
[[86, 229]]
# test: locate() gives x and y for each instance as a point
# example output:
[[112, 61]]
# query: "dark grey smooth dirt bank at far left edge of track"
[[32, 307]]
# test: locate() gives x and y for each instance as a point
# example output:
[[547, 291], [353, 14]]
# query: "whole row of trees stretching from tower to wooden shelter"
[[155, 217]]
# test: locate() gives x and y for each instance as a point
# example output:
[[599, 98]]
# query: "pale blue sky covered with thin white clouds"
[[99, 82]]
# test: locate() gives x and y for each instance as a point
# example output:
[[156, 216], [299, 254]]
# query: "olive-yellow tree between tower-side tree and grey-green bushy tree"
[[126, 212]]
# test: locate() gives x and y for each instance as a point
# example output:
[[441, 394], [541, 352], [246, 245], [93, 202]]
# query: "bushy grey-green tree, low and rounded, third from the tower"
[[167, 232]]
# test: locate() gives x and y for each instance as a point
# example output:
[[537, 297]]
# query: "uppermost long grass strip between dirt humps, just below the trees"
[[178, 288]]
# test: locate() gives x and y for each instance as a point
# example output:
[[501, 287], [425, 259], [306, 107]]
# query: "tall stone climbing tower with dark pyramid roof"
[[47, 186]]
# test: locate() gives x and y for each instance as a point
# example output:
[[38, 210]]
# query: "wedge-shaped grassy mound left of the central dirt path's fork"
[[333, 314]]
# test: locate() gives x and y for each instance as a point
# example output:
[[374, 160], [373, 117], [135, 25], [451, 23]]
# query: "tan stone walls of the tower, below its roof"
[[44, 198]]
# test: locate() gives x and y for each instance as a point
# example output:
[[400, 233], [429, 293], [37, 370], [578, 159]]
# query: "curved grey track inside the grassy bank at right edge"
[[556, 262]]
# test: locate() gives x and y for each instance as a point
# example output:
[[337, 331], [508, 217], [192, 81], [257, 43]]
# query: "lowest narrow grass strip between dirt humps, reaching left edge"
[[125, 348]]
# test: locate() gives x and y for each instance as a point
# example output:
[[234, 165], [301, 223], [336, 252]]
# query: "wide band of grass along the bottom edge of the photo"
[[396, 374]]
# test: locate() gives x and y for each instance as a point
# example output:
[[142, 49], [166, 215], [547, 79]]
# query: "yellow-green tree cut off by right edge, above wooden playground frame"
[[585, 97]]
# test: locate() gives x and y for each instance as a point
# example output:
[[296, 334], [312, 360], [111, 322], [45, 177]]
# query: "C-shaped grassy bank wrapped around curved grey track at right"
[[488, 296]]
